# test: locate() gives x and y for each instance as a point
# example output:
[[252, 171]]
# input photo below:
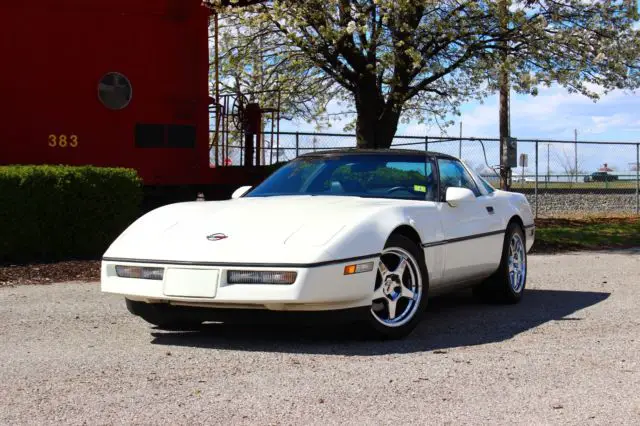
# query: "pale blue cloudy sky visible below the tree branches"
[[553, 114]]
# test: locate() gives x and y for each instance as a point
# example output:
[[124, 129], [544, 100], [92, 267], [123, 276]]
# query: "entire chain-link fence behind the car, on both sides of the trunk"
[[559, 177]]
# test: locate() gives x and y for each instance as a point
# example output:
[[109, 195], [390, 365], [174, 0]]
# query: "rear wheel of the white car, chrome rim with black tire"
[[500, 288]]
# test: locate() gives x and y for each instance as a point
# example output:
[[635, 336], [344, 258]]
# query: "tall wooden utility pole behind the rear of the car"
[[505, 125]]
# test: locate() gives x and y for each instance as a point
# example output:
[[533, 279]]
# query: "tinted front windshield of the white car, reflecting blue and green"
[[376, 175]]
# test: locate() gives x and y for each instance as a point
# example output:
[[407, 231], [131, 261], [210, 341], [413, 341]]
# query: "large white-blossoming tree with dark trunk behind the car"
[[420, 59]]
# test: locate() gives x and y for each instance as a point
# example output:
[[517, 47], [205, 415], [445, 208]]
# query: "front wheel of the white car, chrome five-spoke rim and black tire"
[[397, 307]]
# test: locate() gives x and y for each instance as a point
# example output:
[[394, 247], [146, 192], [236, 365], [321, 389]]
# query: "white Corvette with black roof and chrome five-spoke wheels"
[[369, 235]]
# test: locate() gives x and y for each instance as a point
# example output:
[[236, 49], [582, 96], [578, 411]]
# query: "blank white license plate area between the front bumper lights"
[[191, 282]]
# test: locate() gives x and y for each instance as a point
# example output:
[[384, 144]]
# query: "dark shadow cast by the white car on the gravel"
[[451, 321]]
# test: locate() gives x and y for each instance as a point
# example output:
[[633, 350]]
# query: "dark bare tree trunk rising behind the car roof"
[[377, 120]]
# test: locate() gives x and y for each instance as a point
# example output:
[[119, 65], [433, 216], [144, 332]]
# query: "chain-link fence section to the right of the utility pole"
[[569, 177]]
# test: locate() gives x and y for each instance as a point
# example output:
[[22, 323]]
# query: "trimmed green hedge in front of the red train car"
[[59, 212]]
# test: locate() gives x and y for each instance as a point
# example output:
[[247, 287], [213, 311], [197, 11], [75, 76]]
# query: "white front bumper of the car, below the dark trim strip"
[[315, 288]]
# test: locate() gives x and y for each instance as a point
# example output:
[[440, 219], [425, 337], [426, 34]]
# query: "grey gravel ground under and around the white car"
[[569, 354]]
